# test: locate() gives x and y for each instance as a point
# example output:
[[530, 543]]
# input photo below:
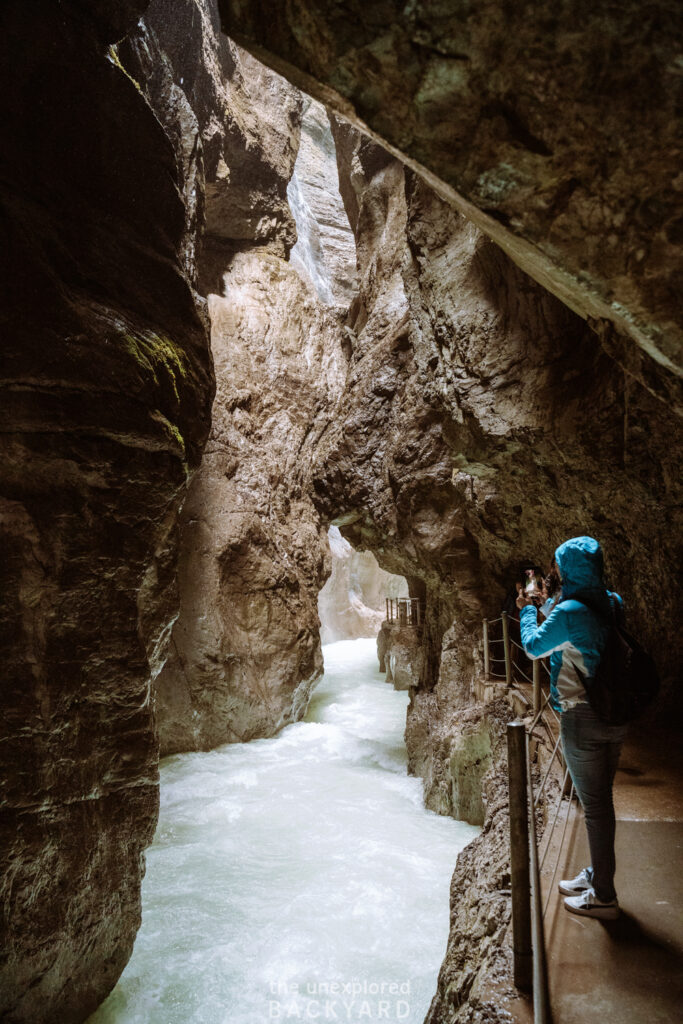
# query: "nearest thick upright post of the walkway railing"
[[520, 851]]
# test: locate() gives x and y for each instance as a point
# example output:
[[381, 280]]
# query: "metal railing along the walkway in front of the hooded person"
[[529, 912]]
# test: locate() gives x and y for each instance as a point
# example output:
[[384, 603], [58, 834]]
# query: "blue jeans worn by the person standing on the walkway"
[[591, 751]]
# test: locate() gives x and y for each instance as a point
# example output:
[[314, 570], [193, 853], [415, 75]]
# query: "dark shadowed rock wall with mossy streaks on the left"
[[107, 393]]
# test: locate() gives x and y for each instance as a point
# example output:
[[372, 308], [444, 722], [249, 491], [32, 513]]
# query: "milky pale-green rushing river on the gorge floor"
[[298, 878]]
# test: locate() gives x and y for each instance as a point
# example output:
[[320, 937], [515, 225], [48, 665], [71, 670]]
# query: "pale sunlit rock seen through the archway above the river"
[[353, 603]]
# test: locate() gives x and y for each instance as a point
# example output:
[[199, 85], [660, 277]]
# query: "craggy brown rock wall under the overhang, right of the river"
[[482, 424]]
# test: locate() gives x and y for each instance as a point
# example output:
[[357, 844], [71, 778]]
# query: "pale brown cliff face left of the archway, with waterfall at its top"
[[246, 649]]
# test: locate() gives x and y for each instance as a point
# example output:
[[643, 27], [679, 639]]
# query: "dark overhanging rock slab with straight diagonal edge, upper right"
[[557, 133]]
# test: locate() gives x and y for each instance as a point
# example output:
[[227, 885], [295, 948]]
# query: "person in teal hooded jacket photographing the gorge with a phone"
[[575, 636]]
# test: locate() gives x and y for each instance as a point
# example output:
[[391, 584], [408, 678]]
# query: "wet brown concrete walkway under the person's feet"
[[629, 971]]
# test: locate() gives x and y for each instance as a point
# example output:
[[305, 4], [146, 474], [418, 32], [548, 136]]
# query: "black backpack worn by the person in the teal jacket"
[[626, 680]]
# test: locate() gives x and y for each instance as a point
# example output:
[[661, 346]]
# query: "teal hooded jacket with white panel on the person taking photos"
[[574, 635]]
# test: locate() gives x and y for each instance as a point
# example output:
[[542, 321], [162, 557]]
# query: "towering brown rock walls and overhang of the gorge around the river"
[[434, 308]]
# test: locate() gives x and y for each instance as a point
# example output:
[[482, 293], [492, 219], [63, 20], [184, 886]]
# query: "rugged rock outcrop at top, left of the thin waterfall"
[[235, 126]]
